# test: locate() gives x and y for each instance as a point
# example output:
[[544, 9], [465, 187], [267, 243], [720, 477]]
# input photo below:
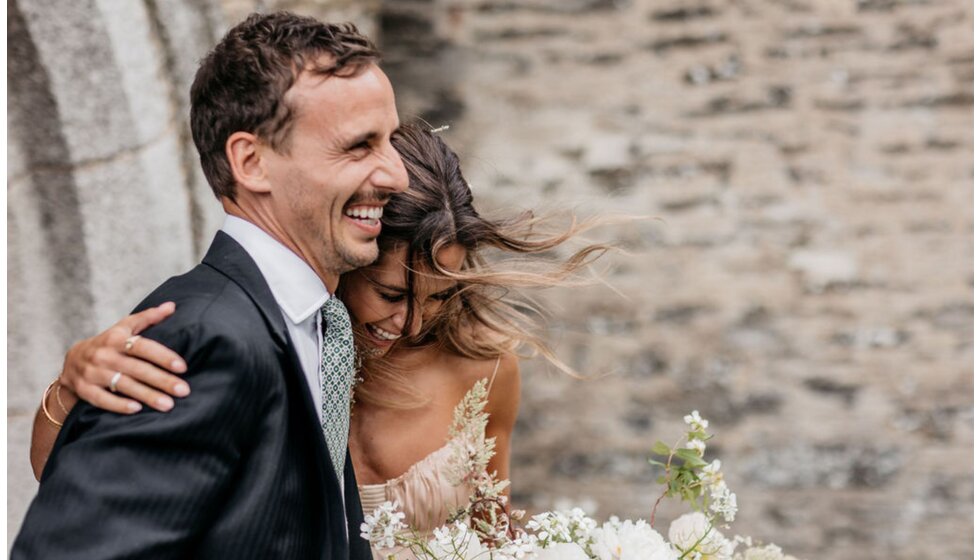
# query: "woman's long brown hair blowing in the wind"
[[488, 314]]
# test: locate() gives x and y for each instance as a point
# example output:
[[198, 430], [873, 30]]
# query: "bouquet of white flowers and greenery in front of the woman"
[[485, 529]]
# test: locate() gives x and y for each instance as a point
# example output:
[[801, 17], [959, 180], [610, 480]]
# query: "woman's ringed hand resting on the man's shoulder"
[[145, 366]]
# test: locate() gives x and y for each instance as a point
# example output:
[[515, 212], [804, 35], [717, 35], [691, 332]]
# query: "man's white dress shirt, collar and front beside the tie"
[[298, 291]]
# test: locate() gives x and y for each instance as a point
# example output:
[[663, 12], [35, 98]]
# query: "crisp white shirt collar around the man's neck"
[[297, 289]]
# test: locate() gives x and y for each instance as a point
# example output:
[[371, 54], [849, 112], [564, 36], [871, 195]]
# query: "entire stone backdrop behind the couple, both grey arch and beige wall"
[[805, 279]]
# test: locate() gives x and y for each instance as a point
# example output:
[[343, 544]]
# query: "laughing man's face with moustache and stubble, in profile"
[[328, 192]]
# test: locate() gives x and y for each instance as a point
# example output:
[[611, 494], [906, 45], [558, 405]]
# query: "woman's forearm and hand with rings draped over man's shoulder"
[[89, 368]]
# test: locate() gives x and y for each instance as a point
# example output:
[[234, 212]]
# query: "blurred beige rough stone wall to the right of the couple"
[[807, 280]]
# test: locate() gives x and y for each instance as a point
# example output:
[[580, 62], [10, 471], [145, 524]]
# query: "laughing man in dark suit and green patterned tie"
[[292, 119]]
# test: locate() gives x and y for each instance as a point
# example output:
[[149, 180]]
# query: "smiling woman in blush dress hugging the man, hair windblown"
[[431, 318]]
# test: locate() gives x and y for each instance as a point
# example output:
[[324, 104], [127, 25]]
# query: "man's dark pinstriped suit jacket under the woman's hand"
[[238, 469]]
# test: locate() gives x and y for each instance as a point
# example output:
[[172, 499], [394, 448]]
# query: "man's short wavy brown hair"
[[241, 84]]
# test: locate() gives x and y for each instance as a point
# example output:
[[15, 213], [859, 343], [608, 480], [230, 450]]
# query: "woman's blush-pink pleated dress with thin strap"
[[425, 493]]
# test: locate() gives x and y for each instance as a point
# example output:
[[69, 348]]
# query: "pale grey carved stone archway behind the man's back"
[[105, 197]]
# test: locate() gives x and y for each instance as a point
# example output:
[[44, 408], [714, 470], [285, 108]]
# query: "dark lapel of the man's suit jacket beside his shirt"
[[230, 259]]
